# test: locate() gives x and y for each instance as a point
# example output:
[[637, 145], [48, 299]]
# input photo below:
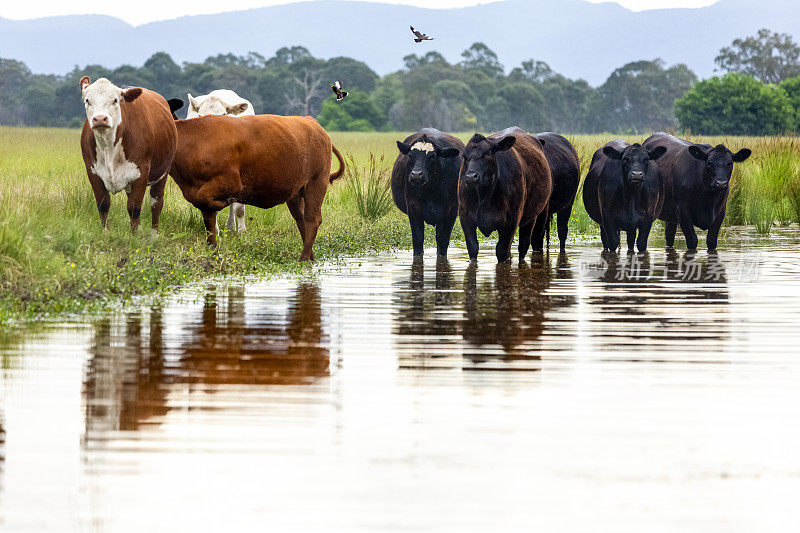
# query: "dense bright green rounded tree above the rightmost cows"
[[735, 104]]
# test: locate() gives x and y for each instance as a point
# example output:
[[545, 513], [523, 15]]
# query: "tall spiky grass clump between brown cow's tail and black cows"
[[368, 187]]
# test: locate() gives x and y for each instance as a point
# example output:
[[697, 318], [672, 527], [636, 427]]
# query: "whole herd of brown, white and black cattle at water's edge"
[[223, 154]]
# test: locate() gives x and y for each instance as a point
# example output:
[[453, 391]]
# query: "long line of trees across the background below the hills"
[[760, 94]]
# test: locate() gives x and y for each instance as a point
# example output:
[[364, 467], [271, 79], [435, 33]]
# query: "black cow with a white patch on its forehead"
[[425, 184]]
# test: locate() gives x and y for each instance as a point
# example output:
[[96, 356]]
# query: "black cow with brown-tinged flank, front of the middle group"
[[504, 183]]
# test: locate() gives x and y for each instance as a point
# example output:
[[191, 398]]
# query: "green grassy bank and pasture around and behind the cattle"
[[54, 257]]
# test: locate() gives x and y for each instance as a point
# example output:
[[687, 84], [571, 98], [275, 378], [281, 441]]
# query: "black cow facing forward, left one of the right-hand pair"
[[624, 191]]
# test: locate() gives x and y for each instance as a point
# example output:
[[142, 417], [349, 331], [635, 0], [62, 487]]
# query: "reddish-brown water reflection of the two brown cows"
[[136, 367]]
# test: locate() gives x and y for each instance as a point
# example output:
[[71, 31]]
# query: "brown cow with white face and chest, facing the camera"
[[128, 142]]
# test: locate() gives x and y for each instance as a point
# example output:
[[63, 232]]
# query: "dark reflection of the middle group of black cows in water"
[[481, 323]]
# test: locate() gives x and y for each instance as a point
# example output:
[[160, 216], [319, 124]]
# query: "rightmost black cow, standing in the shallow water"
[[697, 178]]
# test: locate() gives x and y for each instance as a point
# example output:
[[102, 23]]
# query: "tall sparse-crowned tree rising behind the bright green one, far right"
[[769, 57]]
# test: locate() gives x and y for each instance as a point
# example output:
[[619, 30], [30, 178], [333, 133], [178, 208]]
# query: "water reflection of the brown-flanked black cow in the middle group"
[[504, 320]]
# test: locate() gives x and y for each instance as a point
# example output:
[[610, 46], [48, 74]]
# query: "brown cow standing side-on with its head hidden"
[[259, 160]]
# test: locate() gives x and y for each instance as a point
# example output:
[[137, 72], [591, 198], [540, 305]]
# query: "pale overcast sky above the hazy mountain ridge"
[[143, 11]]
